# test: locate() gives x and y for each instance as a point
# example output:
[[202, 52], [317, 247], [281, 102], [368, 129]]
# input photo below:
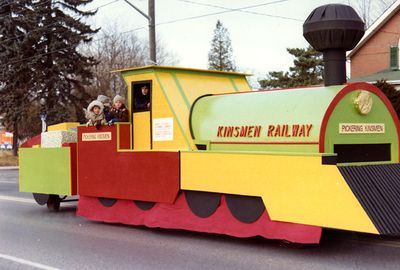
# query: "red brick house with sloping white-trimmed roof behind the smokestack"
[[376, 56]]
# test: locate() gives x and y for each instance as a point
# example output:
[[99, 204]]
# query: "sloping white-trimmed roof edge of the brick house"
[[386, 16]]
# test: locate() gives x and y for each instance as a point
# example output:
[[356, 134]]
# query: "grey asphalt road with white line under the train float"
[[33, 238]]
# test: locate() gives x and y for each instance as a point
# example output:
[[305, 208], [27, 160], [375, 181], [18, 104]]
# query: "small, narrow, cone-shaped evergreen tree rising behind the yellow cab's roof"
[[220, 56]]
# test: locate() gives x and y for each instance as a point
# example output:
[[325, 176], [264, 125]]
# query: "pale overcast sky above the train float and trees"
[[260, 35]]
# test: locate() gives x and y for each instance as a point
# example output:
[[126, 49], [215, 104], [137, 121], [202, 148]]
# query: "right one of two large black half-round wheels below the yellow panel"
[[245, 208]]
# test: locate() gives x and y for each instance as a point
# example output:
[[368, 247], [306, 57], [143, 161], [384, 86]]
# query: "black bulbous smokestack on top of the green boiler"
[[333, 29]]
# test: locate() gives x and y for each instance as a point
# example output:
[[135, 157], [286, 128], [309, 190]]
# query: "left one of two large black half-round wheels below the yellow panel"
[[202, 204]]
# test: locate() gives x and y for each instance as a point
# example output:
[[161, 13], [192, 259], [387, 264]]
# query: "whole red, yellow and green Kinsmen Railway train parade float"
[[211, 155]]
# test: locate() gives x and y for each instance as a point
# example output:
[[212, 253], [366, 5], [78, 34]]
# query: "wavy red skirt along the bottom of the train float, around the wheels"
[[179, 216]]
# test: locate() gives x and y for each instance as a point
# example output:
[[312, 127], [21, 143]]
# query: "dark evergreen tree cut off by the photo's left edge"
[[16, 19]]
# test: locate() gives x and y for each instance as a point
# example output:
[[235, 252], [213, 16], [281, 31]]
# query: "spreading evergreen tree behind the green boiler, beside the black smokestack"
[[307, 70]]
